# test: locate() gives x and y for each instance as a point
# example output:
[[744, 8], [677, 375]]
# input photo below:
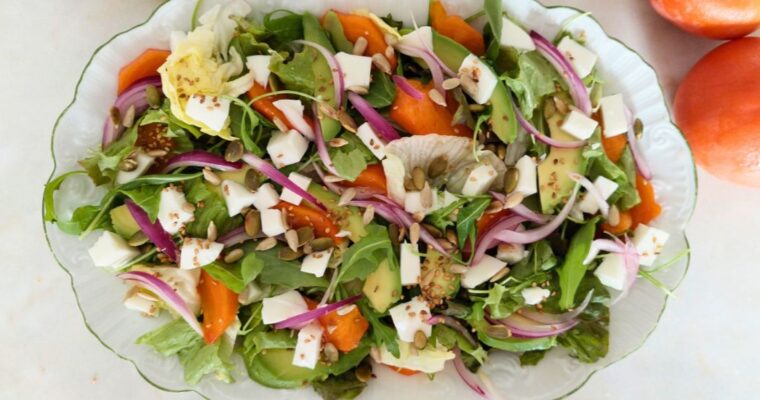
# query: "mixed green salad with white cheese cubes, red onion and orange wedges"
[[326, 195]]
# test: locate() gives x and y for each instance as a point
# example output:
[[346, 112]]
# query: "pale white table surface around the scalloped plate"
[[704, 348]]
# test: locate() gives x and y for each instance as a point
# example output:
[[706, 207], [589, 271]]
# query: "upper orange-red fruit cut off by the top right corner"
[[716, 19]]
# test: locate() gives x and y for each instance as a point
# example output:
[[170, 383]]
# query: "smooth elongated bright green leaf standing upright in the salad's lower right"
[[572, 271]]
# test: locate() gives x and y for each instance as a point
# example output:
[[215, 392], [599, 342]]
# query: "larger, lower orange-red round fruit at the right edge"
[[718, 108]]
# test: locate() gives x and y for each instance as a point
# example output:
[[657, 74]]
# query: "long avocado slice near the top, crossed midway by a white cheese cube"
[[503, 120]]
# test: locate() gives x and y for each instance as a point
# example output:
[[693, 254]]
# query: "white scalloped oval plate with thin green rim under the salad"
[[99, 294]]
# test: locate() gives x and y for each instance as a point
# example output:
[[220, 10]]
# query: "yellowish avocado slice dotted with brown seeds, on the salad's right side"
[[554, 184]]
